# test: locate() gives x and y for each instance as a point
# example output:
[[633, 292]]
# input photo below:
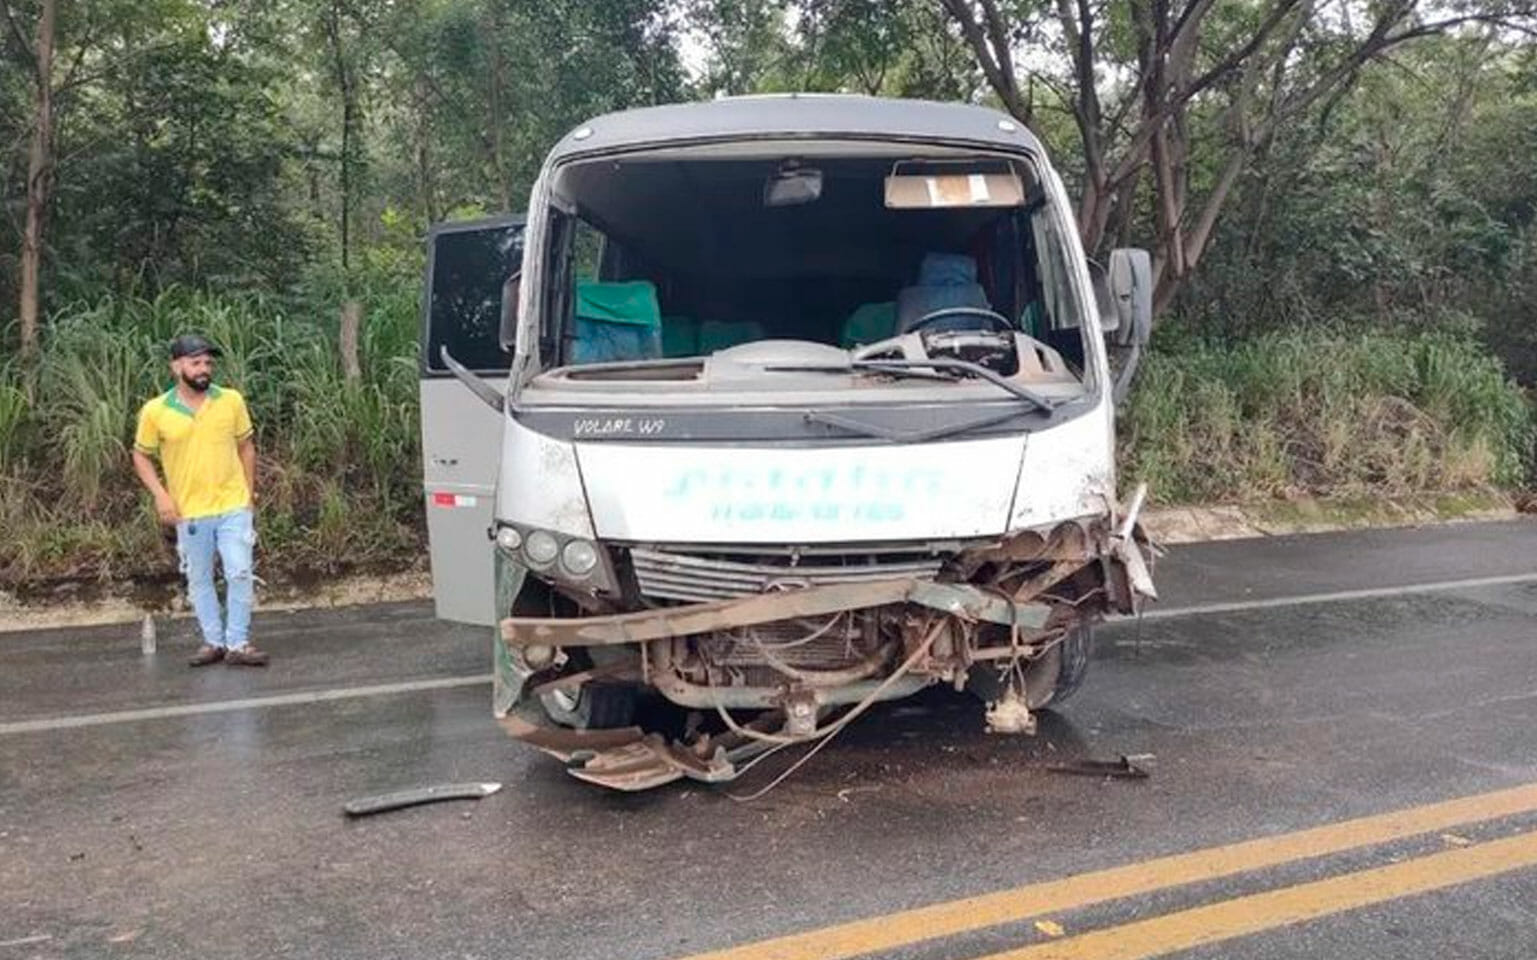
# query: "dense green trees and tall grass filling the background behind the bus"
[[1341, 202]]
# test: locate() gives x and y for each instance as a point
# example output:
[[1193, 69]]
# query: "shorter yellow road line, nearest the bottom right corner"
[[1266, 912]]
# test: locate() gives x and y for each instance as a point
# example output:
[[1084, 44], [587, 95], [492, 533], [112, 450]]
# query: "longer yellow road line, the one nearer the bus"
[[1071, 893]]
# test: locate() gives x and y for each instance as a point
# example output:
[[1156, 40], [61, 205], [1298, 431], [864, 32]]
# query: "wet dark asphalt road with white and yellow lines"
[[1344, 767]]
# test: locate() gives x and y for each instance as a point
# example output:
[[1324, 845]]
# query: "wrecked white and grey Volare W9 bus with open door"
[[809, 405]]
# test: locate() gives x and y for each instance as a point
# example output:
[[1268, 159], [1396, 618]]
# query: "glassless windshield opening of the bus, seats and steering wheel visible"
[[868, 250]]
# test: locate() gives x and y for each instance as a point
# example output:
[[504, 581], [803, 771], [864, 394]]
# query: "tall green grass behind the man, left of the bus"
[[339, 460]]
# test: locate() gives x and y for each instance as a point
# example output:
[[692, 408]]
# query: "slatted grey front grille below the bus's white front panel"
[[682, 577]]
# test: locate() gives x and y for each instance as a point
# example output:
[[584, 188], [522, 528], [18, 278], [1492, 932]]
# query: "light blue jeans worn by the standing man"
[[233, 537]]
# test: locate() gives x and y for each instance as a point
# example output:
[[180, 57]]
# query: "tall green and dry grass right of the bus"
[[1338, 415]]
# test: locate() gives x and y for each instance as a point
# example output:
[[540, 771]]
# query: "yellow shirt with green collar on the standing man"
[[199, 451]]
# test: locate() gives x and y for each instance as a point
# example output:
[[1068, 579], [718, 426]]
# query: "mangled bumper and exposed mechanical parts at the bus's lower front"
[[1008, 621]]
